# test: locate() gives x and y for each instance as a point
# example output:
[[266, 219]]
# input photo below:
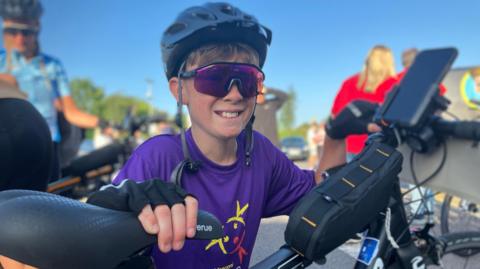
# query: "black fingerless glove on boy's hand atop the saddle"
[[133, 196]]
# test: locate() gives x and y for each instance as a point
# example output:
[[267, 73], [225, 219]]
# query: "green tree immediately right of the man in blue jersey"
[[88, 97]]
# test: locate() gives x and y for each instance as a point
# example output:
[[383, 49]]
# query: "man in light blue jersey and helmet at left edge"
[[40, 76]]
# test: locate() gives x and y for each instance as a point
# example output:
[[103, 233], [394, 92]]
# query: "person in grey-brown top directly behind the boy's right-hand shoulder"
[[269, 101]]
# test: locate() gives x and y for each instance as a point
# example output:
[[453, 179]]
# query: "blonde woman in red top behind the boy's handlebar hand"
[[378, 66]]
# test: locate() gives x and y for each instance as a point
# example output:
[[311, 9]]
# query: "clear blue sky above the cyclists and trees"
[[316, 44]]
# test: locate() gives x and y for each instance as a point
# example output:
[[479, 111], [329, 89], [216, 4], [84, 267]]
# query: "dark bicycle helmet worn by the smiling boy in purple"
[[211, 22]]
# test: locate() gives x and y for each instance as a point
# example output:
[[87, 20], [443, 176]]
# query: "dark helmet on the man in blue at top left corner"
[[21, 9]]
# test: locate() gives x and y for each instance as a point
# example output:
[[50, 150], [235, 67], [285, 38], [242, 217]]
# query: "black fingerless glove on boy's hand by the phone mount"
[[353, 119]]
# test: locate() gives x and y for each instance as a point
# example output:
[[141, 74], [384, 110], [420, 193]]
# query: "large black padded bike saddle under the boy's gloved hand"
[[51, 231]]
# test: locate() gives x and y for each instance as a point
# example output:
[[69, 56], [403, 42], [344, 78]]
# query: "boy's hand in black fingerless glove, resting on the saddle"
[[163, 208]]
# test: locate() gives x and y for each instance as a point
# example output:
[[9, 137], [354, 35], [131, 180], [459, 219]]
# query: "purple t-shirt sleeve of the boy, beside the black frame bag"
[[287, 185]]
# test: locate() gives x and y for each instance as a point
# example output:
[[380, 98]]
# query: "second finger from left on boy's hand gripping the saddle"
[[165, 233]]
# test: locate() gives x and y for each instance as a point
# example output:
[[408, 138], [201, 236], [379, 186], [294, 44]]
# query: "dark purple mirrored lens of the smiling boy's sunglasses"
[[215, 79]]
